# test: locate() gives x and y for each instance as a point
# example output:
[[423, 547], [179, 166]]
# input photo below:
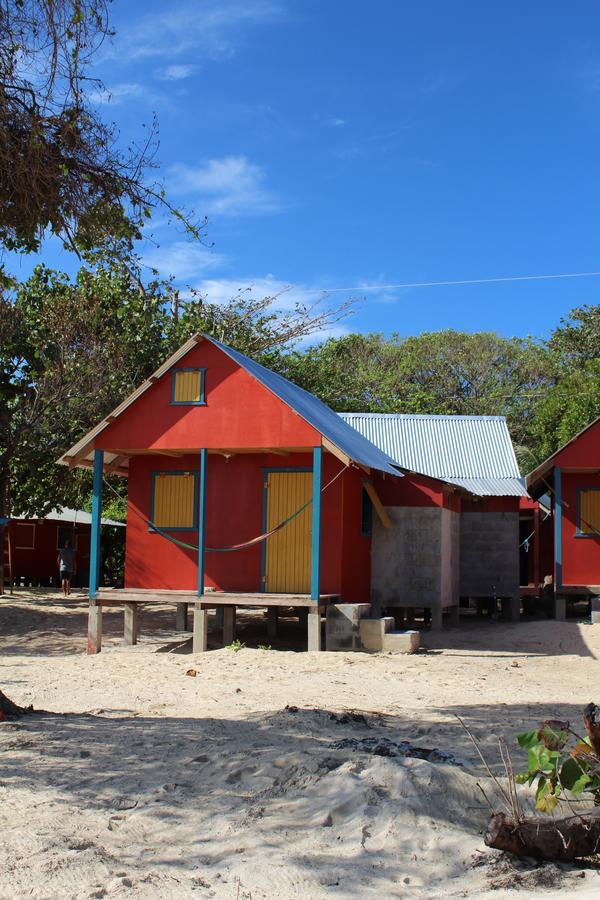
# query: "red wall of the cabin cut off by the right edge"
[[580, 555]]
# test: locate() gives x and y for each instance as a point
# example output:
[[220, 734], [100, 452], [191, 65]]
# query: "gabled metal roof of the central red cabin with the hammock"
[[314, 411]]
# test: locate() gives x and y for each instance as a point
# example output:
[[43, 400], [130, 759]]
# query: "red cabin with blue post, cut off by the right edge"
[[572, 478]]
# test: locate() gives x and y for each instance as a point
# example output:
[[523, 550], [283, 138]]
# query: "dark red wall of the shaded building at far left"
[[41, 561]]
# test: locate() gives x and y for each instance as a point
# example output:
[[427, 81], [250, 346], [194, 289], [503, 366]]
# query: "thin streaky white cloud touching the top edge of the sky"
[[213, 28]]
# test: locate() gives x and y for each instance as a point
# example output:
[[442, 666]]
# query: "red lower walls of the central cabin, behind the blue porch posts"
[[234, 514]]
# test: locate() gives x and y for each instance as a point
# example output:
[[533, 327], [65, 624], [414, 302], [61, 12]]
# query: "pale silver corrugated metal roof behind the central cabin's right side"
[[473, 452]]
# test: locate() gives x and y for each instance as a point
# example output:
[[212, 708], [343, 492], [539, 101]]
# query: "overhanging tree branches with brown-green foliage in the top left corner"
[[61, 167]]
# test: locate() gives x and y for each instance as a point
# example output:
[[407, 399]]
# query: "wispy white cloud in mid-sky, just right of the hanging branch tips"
[[230, 186]]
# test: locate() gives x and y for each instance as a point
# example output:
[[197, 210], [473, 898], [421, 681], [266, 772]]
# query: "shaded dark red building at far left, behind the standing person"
[[31, 546]]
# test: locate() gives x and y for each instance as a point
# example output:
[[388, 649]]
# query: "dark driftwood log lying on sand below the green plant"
[[545, 838]]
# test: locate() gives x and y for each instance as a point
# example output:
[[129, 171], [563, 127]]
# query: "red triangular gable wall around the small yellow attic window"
[[239, 412]]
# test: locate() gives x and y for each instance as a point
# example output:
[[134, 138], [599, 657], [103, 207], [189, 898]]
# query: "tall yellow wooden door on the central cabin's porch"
[[288, 551]]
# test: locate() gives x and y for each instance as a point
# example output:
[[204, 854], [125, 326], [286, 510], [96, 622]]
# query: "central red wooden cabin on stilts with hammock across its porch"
[[219, 451]]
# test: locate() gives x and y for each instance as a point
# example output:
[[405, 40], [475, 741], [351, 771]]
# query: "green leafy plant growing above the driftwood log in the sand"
[[559, 762]]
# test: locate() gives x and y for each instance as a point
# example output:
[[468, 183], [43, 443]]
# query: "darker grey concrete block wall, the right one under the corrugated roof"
[[489, 554]]
